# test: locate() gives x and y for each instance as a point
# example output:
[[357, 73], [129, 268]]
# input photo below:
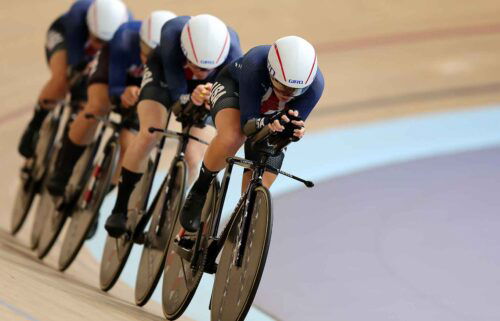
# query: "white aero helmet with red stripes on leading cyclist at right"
[[293, 63]]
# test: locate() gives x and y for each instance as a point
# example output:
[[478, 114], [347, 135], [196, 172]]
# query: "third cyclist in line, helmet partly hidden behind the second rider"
[[115, 80]]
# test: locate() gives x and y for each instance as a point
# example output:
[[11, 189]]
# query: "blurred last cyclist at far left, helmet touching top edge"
[[72, 41]]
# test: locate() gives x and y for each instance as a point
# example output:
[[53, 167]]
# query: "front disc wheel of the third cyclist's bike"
[[88, 205]]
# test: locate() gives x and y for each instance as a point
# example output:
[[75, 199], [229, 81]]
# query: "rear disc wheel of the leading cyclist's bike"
[[180, 281]]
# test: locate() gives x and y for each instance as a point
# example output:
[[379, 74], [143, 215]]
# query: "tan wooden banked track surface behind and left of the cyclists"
[[381, 59]]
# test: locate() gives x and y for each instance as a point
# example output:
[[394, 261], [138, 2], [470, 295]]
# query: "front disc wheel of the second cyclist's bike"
[[164, 215]]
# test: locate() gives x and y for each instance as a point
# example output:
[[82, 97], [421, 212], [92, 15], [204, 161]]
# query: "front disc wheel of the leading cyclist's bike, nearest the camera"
[[235, 287]]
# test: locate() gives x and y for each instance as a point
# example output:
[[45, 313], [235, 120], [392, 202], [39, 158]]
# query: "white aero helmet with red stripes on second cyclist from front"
[[205, 41]]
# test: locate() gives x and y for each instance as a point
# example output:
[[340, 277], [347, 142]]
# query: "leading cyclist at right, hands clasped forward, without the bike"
[[244, 98]]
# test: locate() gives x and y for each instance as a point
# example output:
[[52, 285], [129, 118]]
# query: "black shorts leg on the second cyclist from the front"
[[154, 86]]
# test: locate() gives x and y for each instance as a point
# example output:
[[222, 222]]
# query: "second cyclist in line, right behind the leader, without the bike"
[[181, 69]]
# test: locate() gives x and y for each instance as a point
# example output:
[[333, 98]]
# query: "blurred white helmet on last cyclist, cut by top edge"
[[105, 16]]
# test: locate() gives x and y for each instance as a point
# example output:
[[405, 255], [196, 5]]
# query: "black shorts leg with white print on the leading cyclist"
[[225, 92]]
